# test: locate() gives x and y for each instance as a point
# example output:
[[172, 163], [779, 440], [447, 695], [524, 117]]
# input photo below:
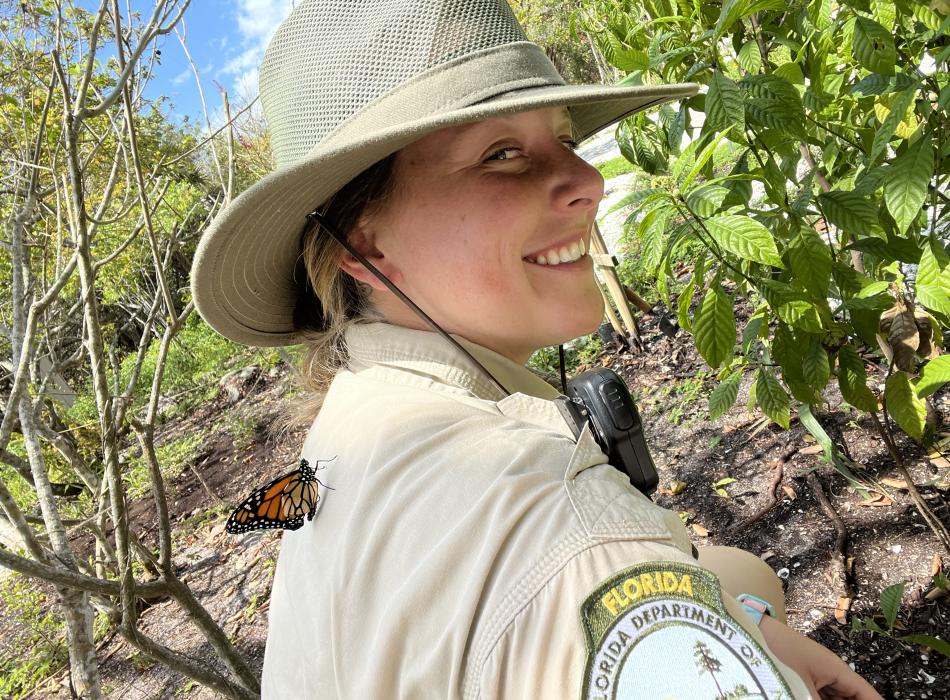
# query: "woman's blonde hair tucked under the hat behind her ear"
[[331, 300]]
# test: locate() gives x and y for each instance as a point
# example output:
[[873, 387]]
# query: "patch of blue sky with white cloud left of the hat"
[[226, 39]]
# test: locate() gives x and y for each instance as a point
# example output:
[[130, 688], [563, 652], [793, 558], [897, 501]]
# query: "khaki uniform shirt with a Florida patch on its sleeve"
[[471, 547]]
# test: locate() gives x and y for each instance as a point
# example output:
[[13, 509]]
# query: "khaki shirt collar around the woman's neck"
[[428, 355]]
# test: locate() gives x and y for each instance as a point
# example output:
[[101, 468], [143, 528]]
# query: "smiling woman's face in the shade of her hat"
[[487, 231]]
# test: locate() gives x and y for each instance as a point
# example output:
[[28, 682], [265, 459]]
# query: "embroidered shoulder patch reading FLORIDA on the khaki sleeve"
[[660, 630]]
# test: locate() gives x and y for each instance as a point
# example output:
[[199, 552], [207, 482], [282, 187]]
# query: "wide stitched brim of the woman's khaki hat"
[[243, 271]]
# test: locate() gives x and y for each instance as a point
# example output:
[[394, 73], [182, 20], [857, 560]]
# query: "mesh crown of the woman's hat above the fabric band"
[[331, 58]]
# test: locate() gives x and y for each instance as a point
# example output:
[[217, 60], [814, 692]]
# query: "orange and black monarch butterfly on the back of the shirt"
[[282, 503]]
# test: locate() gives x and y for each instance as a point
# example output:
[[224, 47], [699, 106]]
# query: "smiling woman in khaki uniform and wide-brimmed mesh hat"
[[472, 546]]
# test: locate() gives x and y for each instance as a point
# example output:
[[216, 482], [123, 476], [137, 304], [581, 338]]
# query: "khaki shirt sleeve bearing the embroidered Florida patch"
[[629, 620]]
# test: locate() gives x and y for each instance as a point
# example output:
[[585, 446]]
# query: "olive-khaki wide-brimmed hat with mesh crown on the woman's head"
[[346, 83]]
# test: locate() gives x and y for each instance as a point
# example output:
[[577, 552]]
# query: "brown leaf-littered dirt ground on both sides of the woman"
[[886, 543]]
